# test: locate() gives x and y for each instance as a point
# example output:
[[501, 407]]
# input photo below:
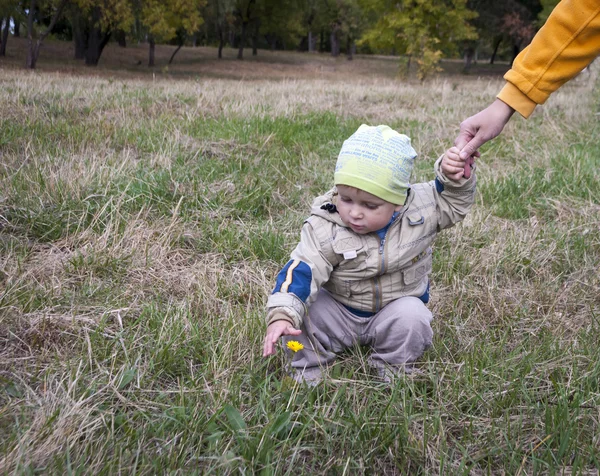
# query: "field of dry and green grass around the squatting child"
[[144, 216]]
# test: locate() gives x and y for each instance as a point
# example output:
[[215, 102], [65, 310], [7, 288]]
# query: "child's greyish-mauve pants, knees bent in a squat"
[[398, 334]]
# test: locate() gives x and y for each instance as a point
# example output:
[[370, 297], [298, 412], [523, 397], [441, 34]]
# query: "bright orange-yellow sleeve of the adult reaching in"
[[566, 44]]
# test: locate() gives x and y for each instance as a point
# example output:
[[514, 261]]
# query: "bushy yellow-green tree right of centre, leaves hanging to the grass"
[[421, 29]]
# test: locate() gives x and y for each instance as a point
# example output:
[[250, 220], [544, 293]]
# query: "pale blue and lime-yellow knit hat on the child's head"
[[378, 160]]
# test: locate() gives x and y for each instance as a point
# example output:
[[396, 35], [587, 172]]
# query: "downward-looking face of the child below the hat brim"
[[362, 211]]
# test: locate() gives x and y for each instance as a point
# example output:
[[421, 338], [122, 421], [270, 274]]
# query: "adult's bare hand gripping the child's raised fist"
[[480, 128]]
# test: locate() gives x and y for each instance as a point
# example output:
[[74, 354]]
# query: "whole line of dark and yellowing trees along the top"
[[423, 31]]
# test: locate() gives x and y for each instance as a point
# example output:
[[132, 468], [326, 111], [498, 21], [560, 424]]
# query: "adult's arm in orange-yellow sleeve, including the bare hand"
[[566, 44]]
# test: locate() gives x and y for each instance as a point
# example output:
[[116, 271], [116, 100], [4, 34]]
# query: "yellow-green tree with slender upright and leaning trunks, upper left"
[[168, 19]]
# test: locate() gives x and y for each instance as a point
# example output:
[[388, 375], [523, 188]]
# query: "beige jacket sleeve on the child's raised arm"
[[453, 199]]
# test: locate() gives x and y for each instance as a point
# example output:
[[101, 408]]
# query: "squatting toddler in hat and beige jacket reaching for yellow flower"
[[360, 273]]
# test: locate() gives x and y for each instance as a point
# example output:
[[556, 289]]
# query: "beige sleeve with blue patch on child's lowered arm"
[[301, 278]]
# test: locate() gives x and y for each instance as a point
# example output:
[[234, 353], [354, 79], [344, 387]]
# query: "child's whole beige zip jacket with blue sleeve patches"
[[365, 272]]
